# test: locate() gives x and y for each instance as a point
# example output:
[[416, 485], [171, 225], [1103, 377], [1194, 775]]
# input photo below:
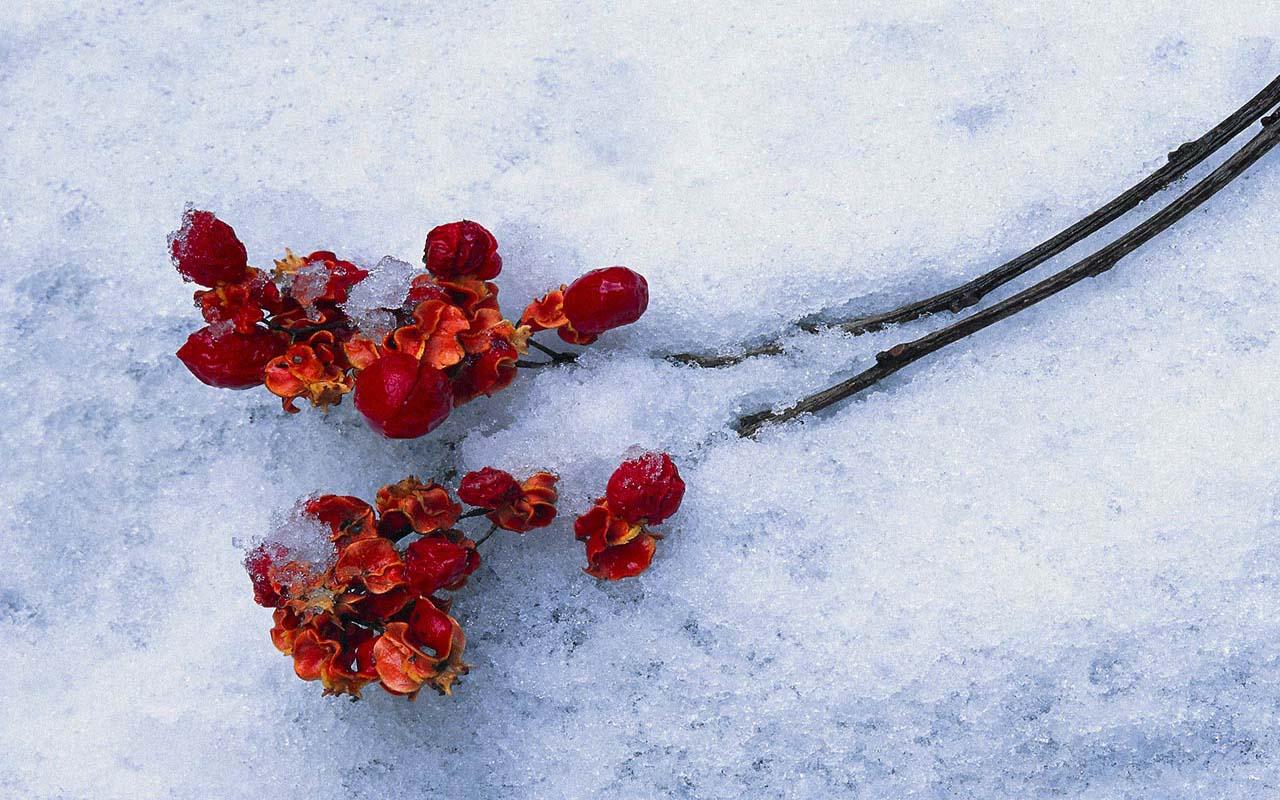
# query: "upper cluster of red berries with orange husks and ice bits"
[[449, 346]]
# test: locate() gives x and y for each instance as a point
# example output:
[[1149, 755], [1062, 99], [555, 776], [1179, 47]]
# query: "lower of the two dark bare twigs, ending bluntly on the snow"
[[902, 355]]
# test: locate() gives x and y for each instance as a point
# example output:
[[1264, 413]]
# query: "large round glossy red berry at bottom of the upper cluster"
[[401, 397]]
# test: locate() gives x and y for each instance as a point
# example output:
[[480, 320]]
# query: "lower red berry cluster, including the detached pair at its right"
[[360, 598]]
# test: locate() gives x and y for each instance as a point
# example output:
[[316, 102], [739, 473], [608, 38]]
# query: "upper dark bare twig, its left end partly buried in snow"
[[966, 295]]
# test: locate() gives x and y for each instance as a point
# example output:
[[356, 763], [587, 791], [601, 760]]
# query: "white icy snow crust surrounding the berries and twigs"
[[1045, 564]]
